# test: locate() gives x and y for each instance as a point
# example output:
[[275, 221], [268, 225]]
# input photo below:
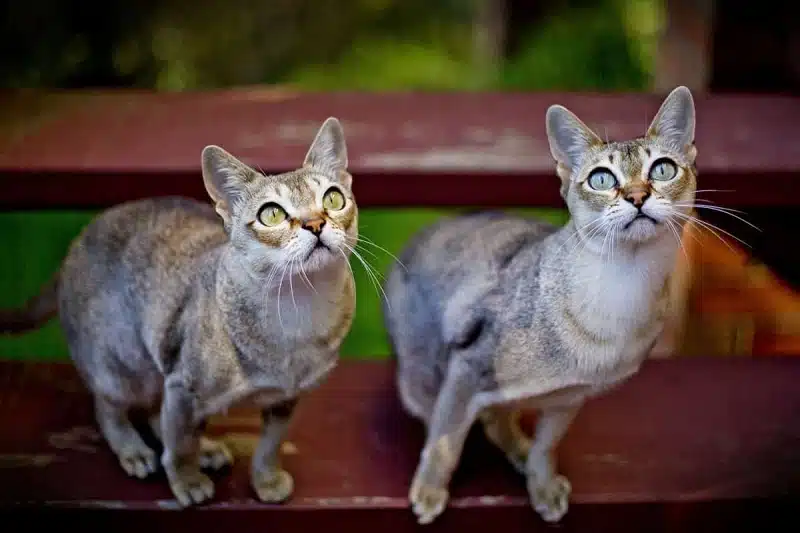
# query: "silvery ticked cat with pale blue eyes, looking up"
[[492, 312]]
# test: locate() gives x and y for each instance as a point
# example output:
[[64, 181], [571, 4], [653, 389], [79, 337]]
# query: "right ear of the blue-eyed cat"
[[675, 120]]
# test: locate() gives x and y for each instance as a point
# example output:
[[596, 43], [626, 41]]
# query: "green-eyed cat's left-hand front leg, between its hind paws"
[[181, 438]]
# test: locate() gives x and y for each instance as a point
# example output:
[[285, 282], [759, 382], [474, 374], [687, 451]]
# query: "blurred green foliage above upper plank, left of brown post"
[[314, 45]]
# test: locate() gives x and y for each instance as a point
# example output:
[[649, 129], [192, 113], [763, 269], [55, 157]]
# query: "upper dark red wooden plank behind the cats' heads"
[[82, 149]]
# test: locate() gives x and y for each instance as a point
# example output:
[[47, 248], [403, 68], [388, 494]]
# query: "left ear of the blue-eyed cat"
[[569, 137]]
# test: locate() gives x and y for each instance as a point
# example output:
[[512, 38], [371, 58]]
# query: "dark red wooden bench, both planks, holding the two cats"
[[689, 444]]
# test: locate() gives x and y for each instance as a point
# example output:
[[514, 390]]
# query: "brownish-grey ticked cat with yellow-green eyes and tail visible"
[[183, 309]]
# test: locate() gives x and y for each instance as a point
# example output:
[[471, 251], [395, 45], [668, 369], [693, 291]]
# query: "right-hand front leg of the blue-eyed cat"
[[548, 491]]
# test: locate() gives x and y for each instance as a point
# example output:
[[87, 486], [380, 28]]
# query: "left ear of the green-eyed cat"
[[225, 178]]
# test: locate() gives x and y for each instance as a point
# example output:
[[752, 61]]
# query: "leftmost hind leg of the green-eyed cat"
[[135, 457]]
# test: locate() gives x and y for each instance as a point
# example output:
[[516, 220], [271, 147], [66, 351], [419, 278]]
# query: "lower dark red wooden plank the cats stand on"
[[687, 445]]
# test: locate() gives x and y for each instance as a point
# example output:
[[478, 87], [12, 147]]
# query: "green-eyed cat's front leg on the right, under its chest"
[[271, 483]]
